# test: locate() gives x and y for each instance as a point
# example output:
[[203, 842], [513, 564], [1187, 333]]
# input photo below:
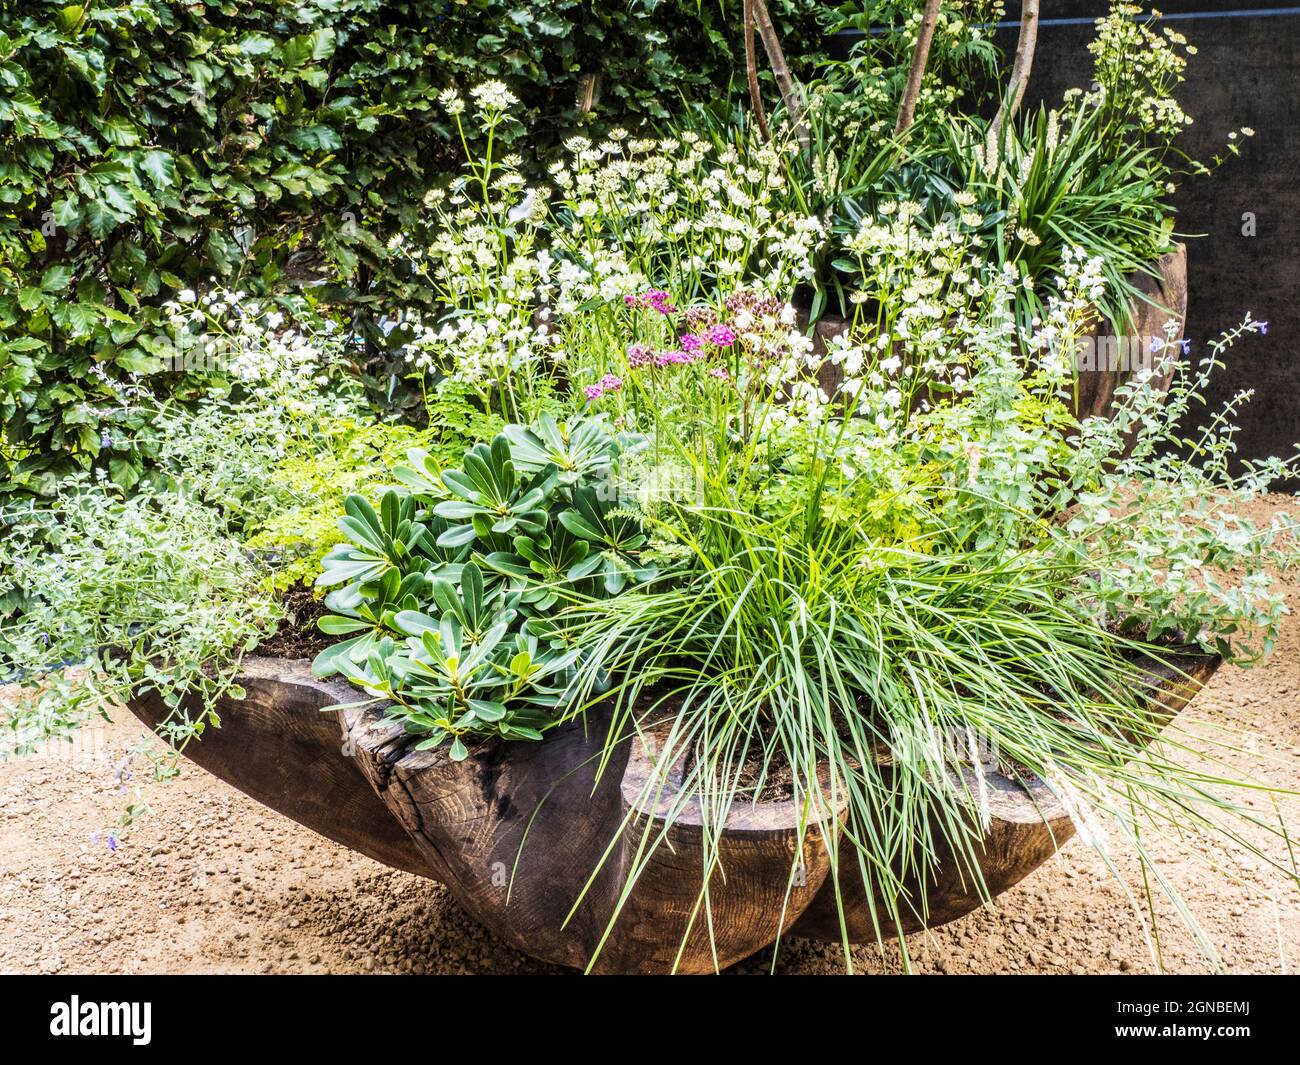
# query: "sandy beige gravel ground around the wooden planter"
[[211, 882]]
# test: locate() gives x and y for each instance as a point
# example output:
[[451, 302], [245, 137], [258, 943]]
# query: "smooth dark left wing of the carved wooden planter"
[[278, 747]]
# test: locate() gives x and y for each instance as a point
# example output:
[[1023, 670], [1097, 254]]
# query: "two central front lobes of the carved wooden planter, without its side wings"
[[517, 832]]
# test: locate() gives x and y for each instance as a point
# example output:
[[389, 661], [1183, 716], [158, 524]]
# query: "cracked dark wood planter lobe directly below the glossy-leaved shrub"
[[515, 830]]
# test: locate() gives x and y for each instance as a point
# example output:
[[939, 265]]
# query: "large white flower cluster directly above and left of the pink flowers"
[[527, 278]]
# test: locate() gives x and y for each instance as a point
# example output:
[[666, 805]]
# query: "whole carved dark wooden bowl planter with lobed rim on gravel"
[[517, 830]]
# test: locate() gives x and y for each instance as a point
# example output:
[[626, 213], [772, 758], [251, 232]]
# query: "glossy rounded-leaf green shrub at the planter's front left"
[[448, 591]]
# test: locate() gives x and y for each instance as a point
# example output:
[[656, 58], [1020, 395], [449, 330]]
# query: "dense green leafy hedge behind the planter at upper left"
[[149, 145]]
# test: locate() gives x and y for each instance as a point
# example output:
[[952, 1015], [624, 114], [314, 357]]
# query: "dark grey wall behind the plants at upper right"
[[1246, 73]]
